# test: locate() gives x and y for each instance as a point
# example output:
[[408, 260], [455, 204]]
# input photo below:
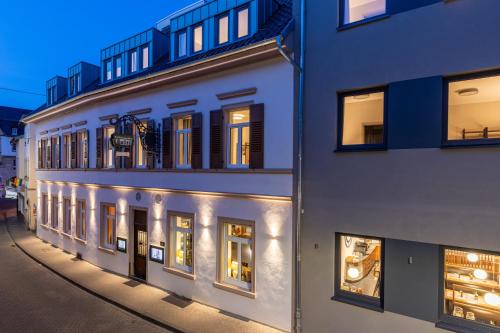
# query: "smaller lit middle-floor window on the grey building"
[[361, 120]]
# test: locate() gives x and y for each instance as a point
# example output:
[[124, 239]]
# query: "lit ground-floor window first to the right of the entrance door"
[[181, 242]]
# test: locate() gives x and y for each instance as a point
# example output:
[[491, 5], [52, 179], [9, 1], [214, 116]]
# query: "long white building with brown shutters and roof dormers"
[[195, 195]]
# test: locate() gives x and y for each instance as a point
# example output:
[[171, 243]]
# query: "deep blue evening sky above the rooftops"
[[41, 39]]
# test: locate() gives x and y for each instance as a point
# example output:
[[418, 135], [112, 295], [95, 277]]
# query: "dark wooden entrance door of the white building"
[[140, 243]]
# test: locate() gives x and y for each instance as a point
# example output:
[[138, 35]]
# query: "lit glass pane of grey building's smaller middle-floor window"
[[363, 119]]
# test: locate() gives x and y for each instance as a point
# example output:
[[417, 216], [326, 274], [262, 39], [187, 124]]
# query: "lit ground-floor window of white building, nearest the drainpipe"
[[238, 260]]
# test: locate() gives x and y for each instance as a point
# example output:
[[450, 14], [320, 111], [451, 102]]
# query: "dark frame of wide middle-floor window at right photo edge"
[[445, 142]]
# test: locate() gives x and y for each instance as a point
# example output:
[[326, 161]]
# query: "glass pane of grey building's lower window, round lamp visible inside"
[[360, 265]]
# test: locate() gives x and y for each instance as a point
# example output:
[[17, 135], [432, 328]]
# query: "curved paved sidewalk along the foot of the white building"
[[156, 305]]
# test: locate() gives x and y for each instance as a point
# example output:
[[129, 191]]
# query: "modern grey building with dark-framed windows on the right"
[[401, 222]]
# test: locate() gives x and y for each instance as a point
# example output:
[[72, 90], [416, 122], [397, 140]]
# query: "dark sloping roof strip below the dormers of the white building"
[[273, 27]]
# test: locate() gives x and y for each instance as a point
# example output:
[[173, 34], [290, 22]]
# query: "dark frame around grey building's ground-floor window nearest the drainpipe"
[[363, 301]]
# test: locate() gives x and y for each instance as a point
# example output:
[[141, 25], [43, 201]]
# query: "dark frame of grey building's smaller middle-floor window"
[[340, 120]]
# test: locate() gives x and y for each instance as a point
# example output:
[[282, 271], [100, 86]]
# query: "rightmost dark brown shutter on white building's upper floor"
[[257, 136]]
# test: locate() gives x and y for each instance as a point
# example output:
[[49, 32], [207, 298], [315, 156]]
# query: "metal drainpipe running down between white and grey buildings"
[[300, 116]]
